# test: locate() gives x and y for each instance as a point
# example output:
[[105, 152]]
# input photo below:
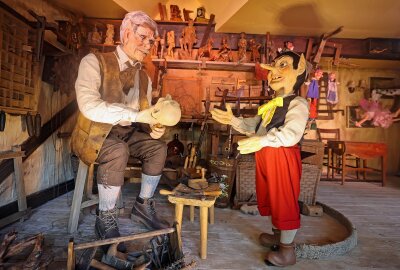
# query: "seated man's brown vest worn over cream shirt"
[[88, 136]]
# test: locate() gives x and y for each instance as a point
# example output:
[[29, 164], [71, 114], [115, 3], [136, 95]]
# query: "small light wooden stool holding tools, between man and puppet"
[[205, 203]]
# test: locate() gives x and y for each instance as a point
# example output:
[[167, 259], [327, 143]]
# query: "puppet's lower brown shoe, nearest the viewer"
[[285, 256]]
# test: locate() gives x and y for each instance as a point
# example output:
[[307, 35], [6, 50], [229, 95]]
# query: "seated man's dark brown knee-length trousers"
[[123, 142]]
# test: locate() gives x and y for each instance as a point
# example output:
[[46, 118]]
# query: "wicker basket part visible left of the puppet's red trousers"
[[246, 180]]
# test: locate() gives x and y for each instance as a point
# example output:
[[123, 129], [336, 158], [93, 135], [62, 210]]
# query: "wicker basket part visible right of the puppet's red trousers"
[[309, 182]]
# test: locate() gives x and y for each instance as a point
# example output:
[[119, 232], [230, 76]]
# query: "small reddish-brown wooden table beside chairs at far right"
[[363, 150]]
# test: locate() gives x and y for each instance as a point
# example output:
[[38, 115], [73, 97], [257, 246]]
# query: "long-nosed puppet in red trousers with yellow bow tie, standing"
[[274, 135]]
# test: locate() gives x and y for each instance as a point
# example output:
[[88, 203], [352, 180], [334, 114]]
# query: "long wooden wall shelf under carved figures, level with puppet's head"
[[210, 65]]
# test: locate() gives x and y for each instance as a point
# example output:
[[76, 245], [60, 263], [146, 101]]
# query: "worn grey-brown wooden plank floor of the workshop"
[[232, 240]]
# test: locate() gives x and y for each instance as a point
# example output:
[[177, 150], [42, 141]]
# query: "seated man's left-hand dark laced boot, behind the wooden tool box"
[[106, 226]]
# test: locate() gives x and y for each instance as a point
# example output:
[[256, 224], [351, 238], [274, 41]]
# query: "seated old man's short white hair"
[[133, 20]]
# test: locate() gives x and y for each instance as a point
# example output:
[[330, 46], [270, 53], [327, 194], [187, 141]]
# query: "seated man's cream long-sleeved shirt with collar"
[[91, 105]]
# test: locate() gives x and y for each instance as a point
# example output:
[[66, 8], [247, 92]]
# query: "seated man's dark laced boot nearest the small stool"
[[143, 211]]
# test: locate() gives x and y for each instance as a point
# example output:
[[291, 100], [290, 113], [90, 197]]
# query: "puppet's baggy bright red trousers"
[[278, 172]]
